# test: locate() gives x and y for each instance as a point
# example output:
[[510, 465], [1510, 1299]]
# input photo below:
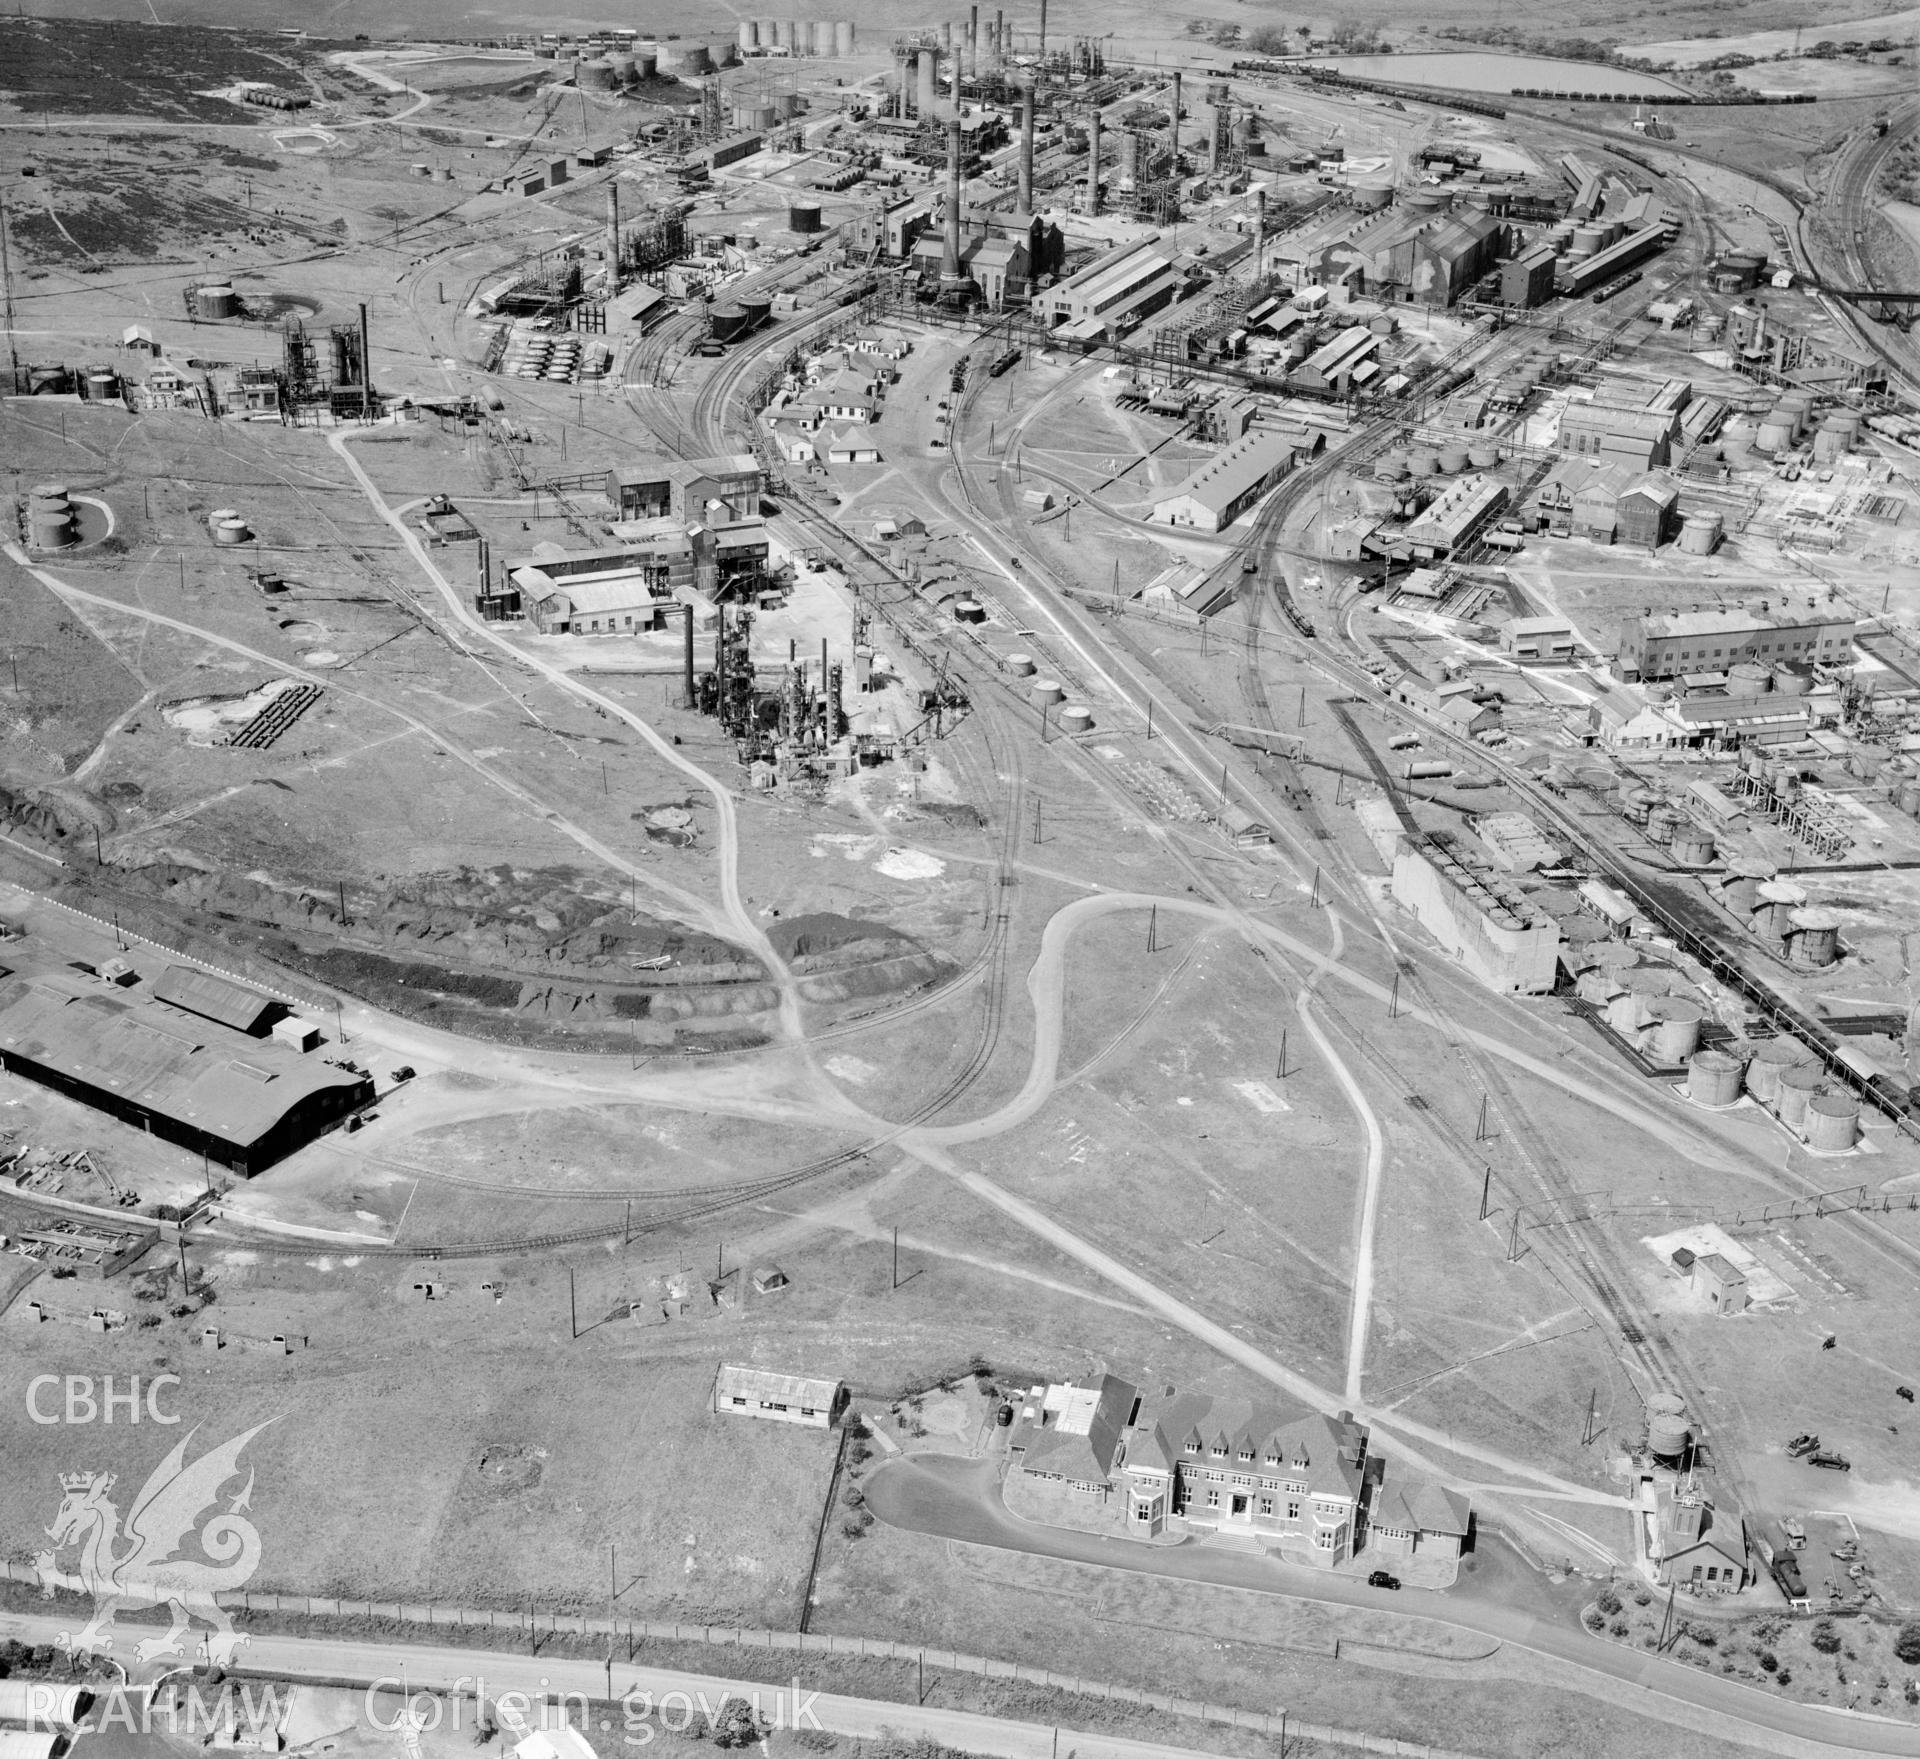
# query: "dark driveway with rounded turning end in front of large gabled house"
[[959, 1501]]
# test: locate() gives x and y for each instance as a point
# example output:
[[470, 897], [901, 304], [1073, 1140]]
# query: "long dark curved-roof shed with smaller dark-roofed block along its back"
[[183, 1076]]
